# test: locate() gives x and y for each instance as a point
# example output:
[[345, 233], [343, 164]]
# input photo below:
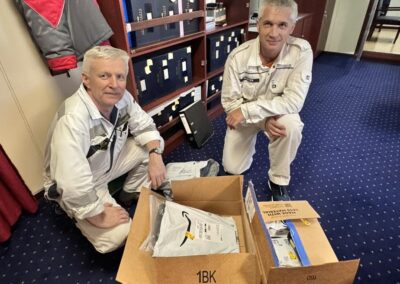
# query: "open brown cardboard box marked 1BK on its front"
[[219, 195]]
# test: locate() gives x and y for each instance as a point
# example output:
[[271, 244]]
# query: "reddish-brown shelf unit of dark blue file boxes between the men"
[[172, 59]]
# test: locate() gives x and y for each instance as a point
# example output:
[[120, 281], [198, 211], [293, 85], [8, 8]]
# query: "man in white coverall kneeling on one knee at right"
[[265, 83]]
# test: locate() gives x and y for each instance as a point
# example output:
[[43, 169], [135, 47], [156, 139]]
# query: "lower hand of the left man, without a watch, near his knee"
[[110, 217]]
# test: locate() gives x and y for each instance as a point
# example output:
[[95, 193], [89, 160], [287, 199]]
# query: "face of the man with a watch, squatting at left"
[[106, 82]]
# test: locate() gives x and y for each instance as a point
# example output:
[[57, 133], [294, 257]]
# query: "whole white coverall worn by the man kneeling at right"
[[262, 92]]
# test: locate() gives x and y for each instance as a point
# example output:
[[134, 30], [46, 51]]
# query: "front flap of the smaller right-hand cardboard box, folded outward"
[[338, 272]]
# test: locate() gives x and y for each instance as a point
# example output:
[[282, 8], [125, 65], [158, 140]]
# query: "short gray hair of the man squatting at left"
[[105, 52]]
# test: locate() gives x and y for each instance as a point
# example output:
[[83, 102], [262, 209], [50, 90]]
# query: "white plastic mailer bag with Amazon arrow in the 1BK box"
[[186, 231]]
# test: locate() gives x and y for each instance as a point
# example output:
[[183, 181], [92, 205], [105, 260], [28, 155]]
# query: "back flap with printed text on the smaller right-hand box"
[[286, 210]]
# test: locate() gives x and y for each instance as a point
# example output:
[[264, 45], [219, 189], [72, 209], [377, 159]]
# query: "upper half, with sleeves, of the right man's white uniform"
[[261, 91]]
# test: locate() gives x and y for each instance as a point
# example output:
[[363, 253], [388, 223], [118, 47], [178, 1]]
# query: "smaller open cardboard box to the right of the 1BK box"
[[324, 266]]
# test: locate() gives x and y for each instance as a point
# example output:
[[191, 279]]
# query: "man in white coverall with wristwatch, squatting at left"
[[88, 146]]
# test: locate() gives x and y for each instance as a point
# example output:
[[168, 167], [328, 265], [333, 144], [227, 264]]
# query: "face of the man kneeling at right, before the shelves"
[[274, 28]]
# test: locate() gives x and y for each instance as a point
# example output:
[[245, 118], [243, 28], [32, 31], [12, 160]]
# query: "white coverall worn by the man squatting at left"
[[80, 162]]
